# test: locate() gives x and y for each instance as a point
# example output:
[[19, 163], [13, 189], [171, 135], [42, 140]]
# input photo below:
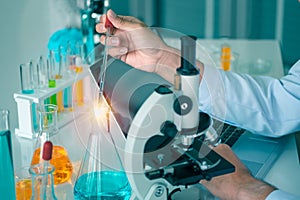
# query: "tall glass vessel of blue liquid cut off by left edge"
[[7, 183]]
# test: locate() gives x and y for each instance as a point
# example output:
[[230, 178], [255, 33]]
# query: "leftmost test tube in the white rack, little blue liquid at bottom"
[[26, 75]]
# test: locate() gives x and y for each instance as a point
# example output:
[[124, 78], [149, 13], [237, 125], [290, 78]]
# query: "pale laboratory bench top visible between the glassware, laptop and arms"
[[74, 134]]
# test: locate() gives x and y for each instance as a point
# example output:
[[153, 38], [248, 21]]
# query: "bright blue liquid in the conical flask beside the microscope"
[[104, 185]]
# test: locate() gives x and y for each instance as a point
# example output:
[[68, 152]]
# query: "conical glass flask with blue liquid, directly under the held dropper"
[[101, 174]]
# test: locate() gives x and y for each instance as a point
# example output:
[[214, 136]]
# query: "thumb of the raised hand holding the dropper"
[[124, 22]]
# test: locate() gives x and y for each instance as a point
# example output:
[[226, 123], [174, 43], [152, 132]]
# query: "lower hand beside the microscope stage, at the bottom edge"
[[239, 184]]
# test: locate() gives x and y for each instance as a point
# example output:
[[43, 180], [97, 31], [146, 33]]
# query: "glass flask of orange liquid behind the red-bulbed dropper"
[[48, 131]]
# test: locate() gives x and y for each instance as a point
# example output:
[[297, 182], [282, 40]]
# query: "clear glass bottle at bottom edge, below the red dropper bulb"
[[42, 186]]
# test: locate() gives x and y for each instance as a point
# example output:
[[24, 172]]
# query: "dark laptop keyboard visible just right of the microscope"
[[229, 134]]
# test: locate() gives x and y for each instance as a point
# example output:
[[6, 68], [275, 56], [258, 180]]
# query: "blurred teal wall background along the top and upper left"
[[28, 24]]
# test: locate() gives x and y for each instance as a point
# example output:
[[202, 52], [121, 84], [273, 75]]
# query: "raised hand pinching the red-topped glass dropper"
[[134, 43]]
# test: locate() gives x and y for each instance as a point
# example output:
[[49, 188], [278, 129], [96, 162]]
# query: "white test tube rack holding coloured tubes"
[[25, 104]]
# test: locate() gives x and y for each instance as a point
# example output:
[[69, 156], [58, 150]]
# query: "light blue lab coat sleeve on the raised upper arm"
[[260, 104]]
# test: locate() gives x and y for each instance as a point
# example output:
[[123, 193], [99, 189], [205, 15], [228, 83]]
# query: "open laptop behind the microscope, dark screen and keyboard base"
[[258, 153]]
